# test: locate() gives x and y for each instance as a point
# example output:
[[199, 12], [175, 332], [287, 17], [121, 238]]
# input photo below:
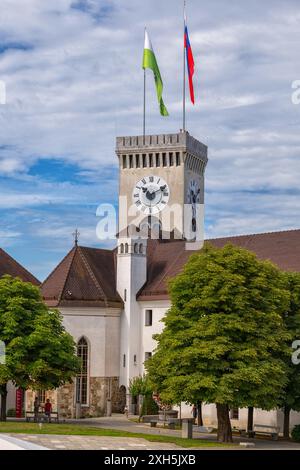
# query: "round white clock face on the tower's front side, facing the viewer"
[[151, 194]]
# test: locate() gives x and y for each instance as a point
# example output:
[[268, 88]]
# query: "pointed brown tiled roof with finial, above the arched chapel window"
[[85, 277]]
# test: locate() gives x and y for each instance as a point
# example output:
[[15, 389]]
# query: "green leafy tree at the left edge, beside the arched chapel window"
[[39, 353]]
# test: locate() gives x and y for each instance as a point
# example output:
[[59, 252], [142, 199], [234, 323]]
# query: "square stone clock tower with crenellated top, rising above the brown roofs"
[[162, 180]]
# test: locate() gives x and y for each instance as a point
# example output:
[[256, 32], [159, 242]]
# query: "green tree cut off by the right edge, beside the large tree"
[[291, 398]]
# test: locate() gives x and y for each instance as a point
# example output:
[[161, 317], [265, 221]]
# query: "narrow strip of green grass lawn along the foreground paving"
[[77, 430]]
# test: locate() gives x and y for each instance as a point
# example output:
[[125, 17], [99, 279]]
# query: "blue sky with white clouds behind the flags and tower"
[[74, 82]]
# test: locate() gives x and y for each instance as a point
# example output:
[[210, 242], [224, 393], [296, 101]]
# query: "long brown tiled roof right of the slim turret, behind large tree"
[[166, 259]]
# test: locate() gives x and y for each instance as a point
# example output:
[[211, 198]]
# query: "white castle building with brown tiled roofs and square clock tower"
[[113, 302]]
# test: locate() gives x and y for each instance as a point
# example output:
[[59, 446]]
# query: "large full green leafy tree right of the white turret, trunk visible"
[[224, 336]]
